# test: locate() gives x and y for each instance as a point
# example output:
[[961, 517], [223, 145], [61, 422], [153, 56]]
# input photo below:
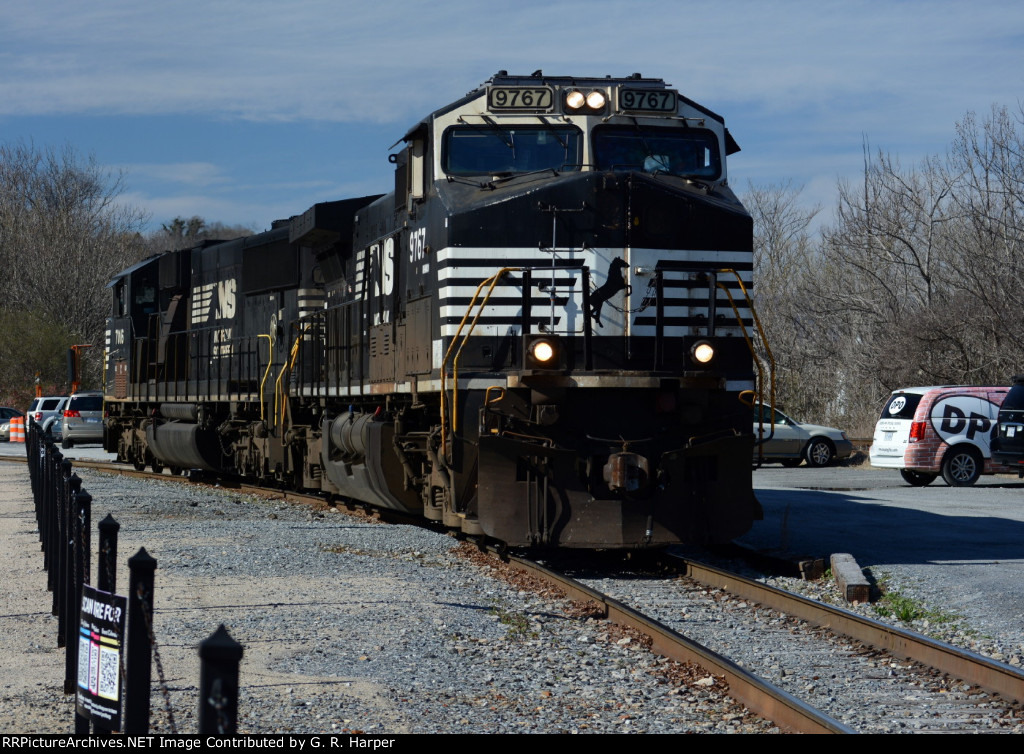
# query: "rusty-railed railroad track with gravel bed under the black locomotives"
[[882, 668]]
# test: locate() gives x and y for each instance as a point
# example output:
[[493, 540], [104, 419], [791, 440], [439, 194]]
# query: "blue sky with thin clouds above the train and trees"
[[245, 112]]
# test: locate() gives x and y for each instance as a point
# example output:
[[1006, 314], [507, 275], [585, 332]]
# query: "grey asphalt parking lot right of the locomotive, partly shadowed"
[[961, 550]]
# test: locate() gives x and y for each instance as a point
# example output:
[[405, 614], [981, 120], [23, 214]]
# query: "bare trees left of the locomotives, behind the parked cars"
[[65, 233]]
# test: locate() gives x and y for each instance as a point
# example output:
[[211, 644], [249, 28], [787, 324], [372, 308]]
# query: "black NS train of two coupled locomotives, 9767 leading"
[[538, 337]]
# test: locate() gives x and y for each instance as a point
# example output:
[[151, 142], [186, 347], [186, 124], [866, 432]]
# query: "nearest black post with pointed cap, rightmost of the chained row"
[[219, 685]]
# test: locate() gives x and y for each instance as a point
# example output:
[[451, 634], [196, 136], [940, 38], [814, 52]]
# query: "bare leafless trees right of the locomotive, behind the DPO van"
[[917, 281]]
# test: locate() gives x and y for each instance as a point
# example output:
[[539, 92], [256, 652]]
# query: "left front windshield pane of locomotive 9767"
[[494, 150]]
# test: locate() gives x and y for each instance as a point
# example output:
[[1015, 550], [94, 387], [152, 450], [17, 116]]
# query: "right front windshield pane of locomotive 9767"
[[692, 153]]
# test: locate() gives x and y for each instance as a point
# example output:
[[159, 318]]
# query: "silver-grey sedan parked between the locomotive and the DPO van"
[[791, 442]]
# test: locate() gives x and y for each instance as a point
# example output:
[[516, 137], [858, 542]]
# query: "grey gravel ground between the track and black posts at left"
[[348, 625]]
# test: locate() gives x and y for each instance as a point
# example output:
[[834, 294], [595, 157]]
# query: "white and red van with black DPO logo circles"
[[942, 430]]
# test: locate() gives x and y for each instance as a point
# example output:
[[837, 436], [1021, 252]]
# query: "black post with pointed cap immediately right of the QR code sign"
[[142, 570]]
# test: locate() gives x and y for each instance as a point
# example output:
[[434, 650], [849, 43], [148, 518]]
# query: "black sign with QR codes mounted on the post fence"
[[101, 641]]
